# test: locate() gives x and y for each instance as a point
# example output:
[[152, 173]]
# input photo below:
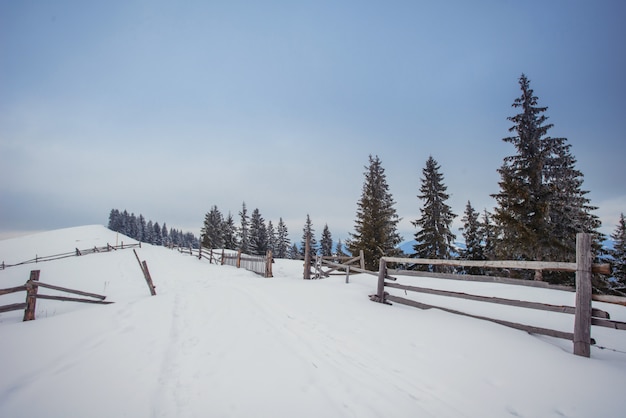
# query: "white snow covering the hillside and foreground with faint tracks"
[[218, 341]]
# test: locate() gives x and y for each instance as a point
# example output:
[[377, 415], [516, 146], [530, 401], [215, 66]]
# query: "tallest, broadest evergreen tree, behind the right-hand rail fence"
[[541, 205]]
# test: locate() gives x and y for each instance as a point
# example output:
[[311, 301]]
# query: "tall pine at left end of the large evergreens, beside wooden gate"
[[376, 218]]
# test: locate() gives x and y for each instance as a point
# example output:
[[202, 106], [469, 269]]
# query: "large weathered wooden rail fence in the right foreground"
[[584, 314]]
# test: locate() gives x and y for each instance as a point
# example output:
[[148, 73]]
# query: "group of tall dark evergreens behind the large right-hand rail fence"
[[540, 208]]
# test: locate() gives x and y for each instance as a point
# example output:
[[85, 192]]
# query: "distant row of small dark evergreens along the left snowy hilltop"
[[137, 228]]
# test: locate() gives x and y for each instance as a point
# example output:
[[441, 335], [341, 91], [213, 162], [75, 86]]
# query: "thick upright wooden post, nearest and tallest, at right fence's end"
[[582, 316]]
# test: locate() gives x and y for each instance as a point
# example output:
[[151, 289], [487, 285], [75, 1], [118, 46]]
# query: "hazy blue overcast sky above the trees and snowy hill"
[[166, 108]]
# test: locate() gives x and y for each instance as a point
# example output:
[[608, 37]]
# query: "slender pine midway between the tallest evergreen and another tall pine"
[[434, 238]]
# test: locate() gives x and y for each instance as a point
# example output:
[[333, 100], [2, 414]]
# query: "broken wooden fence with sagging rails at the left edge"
[[31, 288]]
